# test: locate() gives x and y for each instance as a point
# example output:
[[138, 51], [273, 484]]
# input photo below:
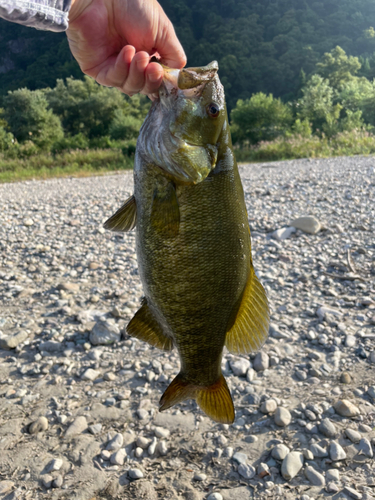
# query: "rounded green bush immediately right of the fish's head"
[[260, 118]]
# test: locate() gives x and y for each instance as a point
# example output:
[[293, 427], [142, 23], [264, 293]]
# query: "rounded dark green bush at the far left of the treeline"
[[29, 118]]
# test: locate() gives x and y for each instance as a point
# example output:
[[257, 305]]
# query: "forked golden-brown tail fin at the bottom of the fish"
[[215, 400]]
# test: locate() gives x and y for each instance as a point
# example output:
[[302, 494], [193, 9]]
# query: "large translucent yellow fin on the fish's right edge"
[[250, 328]]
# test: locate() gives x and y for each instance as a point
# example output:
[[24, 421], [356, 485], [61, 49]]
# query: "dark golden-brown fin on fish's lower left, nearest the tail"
[[144, 326]]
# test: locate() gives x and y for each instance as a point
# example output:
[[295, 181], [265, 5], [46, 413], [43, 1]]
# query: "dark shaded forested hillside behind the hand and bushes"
[[260, 46]]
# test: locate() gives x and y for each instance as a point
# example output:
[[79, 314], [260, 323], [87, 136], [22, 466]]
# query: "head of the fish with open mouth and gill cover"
[[182, 130]]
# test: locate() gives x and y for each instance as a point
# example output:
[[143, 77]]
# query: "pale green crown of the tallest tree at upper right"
[[338, 68]]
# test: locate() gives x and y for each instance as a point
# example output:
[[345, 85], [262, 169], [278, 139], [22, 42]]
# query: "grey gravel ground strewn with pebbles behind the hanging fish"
[[78, 403]]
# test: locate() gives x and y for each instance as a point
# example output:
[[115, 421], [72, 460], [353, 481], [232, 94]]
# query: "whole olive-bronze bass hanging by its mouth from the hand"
[[193, 243]]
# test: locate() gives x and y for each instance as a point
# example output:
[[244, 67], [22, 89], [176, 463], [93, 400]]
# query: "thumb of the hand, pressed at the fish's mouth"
[[168, 46]]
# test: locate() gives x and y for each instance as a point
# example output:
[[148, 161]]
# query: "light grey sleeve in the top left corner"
[[51, 15]]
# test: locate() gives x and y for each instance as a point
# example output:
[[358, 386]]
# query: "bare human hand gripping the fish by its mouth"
[[112, 41]]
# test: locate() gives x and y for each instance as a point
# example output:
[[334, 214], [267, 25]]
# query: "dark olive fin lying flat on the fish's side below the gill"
[[165, 212]]
